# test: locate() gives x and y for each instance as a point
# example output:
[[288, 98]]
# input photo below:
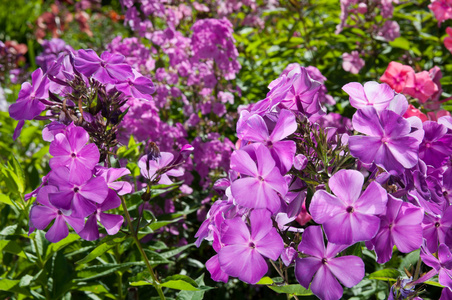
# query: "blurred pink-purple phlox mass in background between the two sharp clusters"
[[200, 67]]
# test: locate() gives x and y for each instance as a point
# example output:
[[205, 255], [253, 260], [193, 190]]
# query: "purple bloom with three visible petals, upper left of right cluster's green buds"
[[255, 129]]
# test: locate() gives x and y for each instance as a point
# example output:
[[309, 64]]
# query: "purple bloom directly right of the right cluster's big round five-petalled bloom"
[[401, 225]]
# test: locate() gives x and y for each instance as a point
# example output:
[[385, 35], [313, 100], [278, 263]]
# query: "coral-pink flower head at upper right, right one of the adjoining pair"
[[420, 86]]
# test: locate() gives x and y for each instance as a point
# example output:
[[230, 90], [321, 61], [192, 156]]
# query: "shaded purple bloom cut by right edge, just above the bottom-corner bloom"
[[436, 227]]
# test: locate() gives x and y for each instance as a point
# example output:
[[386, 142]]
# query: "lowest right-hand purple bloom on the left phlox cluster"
[[111, 222]]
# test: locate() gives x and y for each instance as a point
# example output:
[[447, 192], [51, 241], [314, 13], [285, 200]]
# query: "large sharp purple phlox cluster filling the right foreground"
[[386, 184]]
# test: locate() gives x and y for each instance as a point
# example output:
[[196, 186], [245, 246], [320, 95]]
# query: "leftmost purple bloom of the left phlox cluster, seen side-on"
[[28, 104]]
